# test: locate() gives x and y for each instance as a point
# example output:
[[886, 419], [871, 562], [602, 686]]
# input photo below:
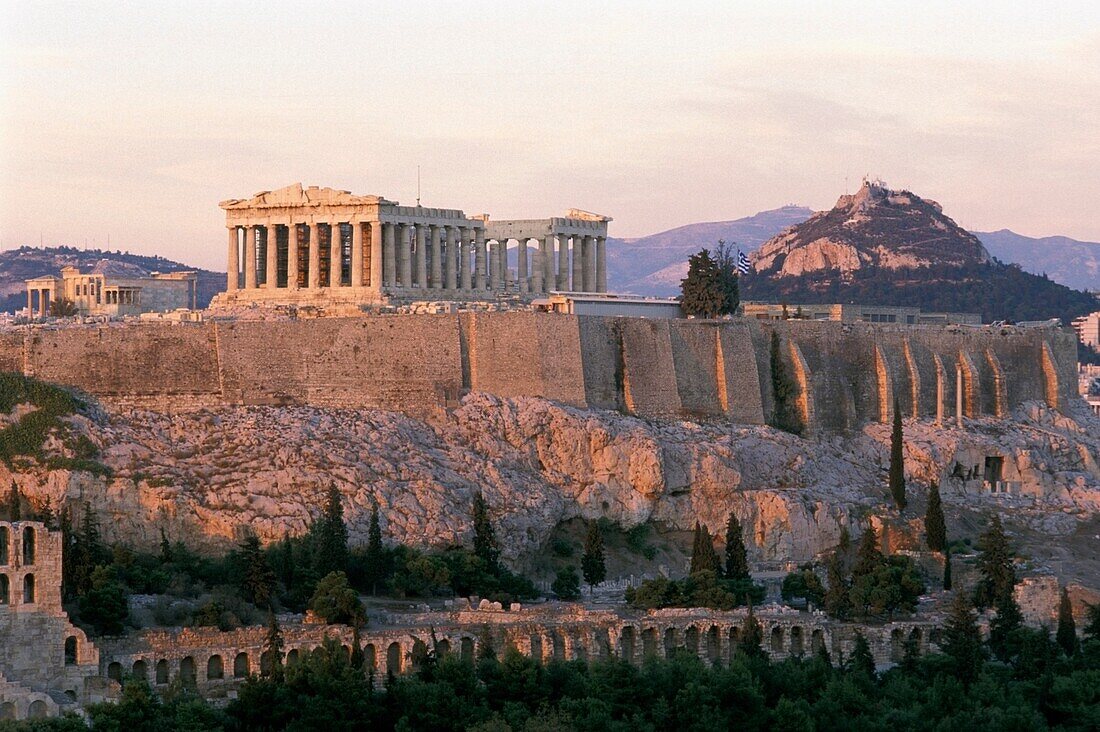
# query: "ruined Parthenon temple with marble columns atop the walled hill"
[[306, 246]]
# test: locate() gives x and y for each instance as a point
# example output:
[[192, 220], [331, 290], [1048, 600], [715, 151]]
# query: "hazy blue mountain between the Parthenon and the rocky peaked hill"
[[656, 265]]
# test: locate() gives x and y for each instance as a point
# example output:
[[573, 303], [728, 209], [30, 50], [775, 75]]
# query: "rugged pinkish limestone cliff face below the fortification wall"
[[206, 476]]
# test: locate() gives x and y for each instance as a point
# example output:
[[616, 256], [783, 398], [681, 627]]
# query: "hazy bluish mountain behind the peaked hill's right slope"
[[1073, 264]]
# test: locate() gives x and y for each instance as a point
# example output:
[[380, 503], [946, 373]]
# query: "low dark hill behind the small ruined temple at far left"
[[27, 263]]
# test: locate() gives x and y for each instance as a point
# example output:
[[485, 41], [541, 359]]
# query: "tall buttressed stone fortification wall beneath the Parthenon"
[[657, 368]]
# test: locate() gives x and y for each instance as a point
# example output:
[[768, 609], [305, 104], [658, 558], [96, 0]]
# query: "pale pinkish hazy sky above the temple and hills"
[[136, 119]]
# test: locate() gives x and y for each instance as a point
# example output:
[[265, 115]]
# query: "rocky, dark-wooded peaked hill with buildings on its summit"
[[884, 247]]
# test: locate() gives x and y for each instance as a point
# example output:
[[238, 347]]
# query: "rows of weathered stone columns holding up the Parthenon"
[[428, 257]]
